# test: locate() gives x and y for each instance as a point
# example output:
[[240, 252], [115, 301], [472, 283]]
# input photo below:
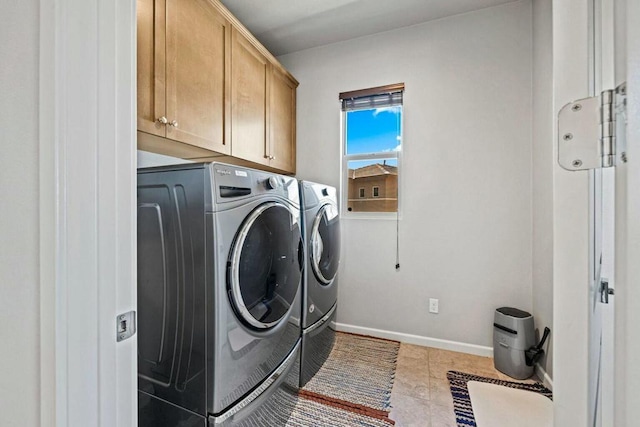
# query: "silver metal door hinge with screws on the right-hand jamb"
[[592, 131]]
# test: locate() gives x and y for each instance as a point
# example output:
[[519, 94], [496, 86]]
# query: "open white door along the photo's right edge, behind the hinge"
[[614, 371]]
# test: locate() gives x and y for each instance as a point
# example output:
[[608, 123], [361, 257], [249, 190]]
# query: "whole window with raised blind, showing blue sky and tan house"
[[371, 143]]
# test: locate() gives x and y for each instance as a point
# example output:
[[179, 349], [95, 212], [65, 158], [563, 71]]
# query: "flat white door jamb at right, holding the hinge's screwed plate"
[[571, 223]]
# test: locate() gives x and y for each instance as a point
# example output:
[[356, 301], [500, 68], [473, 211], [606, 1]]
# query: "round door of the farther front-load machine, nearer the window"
[[325, 244]]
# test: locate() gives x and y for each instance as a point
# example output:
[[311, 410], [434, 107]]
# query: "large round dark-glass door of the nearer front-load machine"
[[265, 265]]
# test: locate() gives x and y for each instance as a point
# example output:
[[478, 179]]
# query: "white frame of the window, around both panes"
[[346, 158]]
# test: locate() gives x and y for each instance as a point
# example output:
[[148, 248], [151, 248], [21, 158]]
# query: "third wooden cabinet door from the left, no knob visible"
[[249, 92]]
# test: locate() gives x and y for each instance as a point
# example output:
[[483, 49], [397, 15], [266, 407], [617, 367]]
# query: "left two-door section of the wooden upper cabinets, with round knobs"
[[183, 63]]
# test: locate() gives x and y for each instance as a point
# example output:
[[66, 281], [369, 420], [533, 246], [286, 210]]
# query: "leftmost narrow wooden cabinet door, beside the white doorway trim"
[[150, 63]]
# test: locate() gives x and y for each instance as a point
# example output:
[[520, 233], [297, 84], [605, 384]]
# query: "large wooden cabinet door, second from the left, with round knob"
[[197, 46]]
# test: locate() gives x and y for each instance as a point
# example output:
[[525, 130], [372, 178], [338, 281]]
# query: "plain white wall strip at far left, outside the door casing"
[[19, 264]]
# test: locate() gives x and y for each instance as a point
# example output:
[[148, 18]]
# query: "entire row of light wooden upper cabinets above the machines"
[[207, 88]]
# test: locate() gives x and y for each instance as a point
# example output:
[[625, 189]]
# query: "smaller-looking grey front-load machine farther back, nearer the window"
[[321, 233]]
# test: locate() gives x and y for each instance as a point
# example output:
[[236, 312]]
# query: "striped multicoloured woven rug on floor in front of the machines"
[[353, 387]]
